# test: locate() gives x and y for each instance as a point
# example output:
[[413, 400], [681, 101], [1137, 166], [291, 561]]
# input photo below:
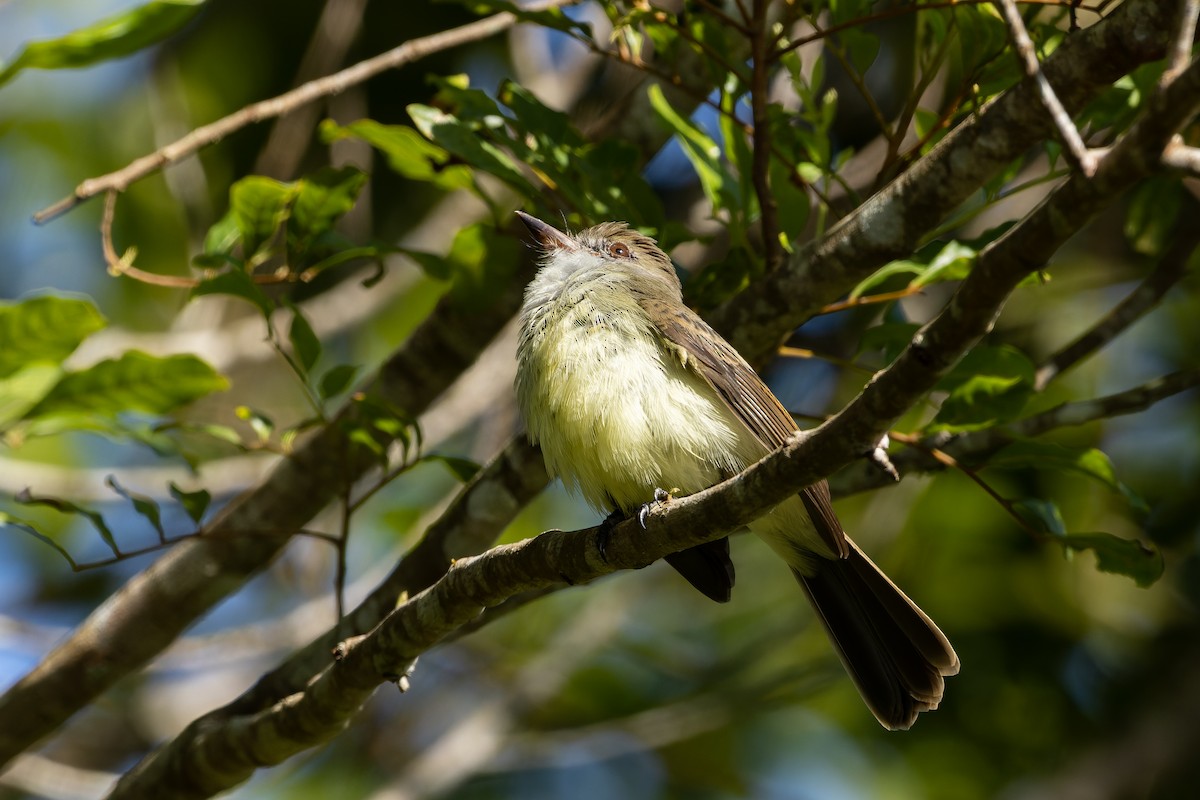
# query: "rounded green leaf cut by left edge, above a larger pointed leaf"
[[44, 330]]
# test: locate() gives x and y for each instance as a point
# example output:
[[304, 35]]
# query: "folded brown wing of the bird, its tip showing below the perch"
[[748, 398]]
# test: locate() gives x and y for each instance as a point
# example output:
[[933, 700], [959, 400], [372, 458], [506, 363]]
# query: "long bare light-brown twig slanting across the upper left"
[[202, 137]]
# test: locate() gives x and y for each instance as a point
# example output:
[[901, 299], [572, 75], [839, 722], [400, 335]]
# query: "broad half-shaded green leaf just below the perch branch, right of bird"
[[991, 386]]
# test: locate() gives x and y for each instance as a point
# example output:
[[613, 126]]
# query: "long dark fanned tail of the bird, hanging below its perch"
[[895, 653]]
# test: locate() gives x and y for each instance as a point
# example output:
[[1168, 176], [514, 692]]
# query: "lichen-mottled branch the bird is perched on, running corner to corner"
[[230, 754]]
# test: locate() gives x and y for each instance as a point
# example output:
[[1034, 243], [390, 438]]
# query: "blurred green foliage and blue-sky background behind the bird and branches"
[[382, 199]]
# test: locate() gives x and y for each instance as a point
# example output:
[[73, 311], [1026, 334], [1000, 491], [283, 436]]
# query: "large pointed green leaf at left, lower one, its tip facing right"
[[135, 382]]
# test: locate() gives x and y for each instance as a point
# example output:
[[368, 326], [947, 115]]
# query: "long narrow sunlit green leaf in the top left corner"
[[112, 39]]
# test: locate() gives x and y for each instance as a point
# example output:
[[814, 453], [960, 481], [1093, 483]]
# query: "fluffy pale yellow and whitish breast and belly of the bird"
[[615, 412]]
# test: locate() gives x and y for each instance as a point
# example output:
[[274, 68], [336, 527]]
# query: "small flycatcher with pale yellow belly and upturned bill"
[[628, 392]]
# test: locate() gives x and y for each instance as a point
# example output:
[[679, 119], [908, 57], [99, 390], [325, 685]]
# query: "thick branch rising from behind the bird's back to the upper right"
[[892, 224]]
